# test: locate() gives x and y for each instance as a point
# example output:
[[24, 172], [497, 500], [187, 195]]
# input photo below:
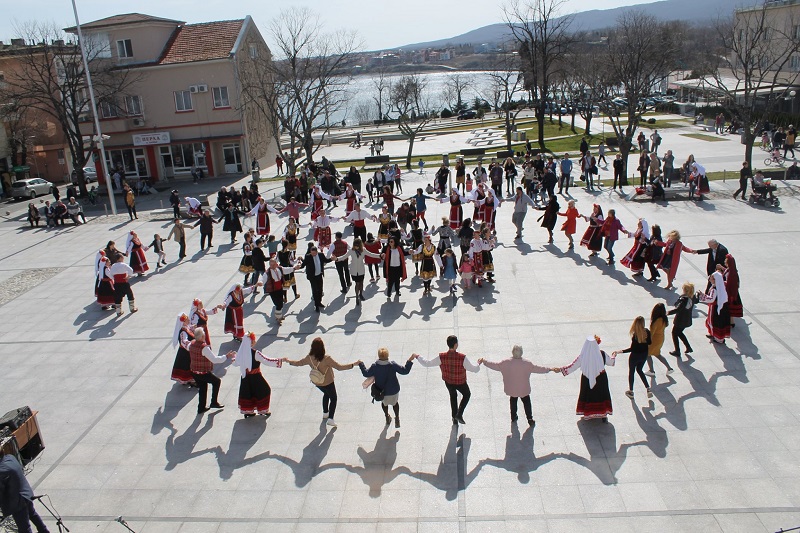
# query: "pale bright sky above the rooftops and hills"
[[379, 27]]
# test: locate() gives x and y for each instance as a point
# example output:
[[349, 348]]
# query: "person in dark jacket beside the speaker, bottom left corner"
[[16, 496]]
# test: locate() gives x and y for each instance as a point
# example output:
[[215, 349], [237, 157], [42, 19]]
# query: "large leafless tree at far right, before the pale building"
[[752, 69]]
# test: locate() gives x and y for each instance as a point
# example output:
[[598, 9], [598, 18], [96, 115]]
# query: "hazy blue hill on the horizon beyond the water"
[[693, 11]]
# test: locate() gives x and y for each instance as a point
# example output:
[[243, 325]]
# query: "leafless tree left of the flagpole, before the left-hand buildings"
[[49, 77]]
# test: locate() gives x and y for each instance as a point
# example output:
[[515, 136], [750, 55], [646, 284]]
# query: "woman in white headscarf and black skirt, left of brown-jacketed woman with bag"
[[254, 391]]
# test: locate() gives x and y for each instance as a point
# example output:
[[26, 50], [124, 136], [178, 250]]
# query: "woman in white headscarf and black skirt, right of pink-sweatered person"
[[594, 399]]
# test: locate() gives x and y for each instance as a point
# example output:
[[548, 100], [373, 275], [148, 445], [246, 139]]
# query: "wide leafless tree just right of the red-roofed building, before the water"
[[305, 84]]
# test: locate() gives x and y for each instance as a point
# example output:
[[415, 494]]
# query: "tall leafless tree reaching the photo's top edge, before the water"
[[543, 35]]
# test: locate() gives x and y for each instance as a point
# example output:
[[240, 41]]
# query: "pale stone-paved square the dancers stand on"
[[716, 449]]
